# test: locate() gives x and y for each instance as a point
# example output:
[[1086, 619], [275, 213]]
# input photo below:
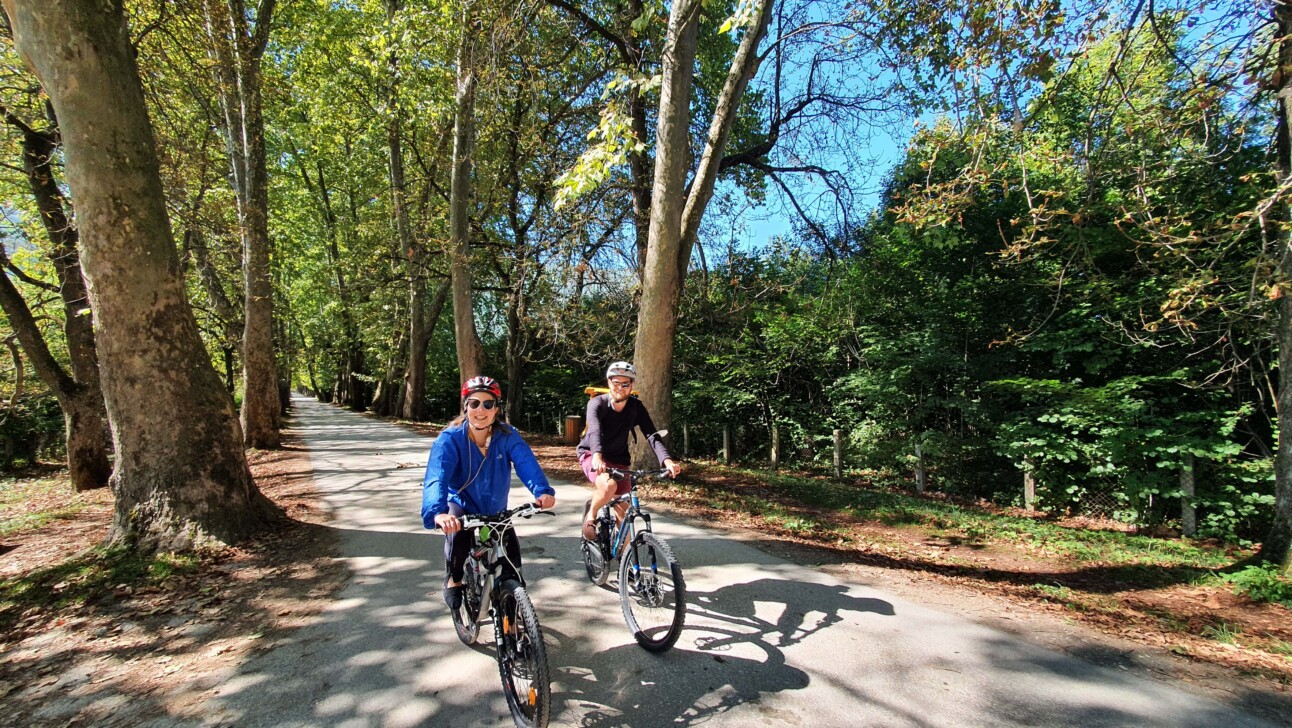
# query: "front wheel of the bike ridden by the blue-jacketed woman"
[[523, 659]]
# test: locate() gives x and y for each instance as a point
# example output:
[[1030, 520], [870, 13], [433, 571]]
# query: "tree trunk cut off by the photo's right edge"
[[1277, 546]]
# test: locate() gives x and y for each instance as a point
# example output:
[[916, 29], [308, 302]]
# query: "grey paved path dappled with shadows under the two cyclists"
[[767, 642]]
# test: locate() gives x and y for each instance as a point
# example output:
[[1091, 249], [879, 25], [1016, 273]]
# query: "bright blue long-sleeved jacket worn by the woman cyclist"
[[455, 473]]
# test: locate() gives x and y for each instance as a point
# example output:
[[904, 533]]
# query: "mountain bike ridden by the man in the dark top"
[[652, 590]]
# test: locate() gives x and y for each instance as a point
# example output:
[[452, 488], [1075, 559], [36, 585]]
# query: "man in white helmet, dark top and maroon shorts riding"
[[612, 417]]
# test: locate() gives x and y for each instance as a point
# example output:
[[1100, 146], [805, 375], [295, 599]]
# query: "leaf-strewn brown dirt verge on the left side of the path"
[[152, 655]]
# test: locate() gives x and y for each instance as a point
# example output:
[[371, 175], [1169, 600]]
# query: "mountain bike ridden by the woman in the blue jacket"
[[523, 658]]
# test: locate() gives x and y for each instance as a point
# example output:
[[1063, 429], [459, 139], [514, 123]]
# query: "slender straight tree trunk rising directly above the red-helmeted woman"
[[471, 356]]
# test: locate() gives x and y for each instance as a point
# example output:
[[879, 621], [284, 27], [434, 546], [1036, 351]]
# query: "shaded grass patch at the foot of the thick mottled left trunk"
[[87, 580]]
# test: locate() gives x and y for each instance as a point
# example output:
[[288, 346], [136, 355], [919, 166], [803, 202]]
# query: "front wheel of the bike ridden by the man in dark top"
[[652, 593]]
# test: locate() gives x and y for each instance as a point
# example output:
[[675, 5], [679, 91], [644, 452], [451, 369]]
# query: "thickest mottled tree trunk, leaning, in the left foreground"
[[182, 476]]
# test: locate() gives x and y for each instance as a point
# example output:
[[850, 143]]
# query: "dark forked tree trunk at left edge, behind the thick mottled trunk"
[[81, 396]]
